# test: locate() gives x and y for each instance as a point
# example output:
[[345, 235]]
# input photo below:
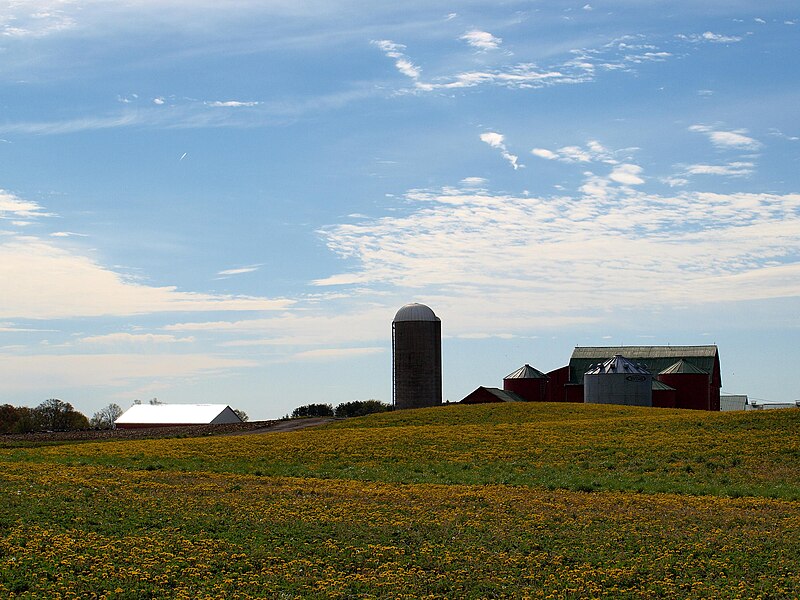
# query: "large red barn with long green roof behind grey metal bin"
[[682, 376]]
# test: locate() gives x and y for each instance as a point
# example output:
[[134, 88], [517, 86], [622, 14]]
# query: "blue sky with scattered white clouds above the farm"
[[227, 202]]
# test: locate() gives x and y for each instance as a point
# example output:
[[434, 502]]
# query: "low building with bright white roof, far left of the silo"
[[174, 415]]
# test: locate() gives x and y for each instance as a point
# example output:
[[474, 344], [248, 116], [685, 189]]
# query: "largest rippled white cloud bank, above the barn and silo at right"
[[560, 256]]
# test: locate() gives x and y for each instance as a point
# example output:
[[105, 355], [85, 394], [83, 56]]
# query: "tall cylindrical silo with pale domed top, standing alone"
[[416, 357]]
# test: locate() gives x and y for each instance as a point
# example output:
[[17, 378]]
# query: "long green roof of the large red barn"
[[654, 358]]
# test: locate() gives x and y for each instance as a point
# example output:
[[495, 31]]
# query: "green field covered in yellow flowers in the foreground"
[[518, 500]]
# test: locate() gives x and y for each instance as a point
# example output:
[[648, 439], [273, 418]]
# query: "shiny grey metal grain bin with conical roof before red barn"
[[618, 381]]
